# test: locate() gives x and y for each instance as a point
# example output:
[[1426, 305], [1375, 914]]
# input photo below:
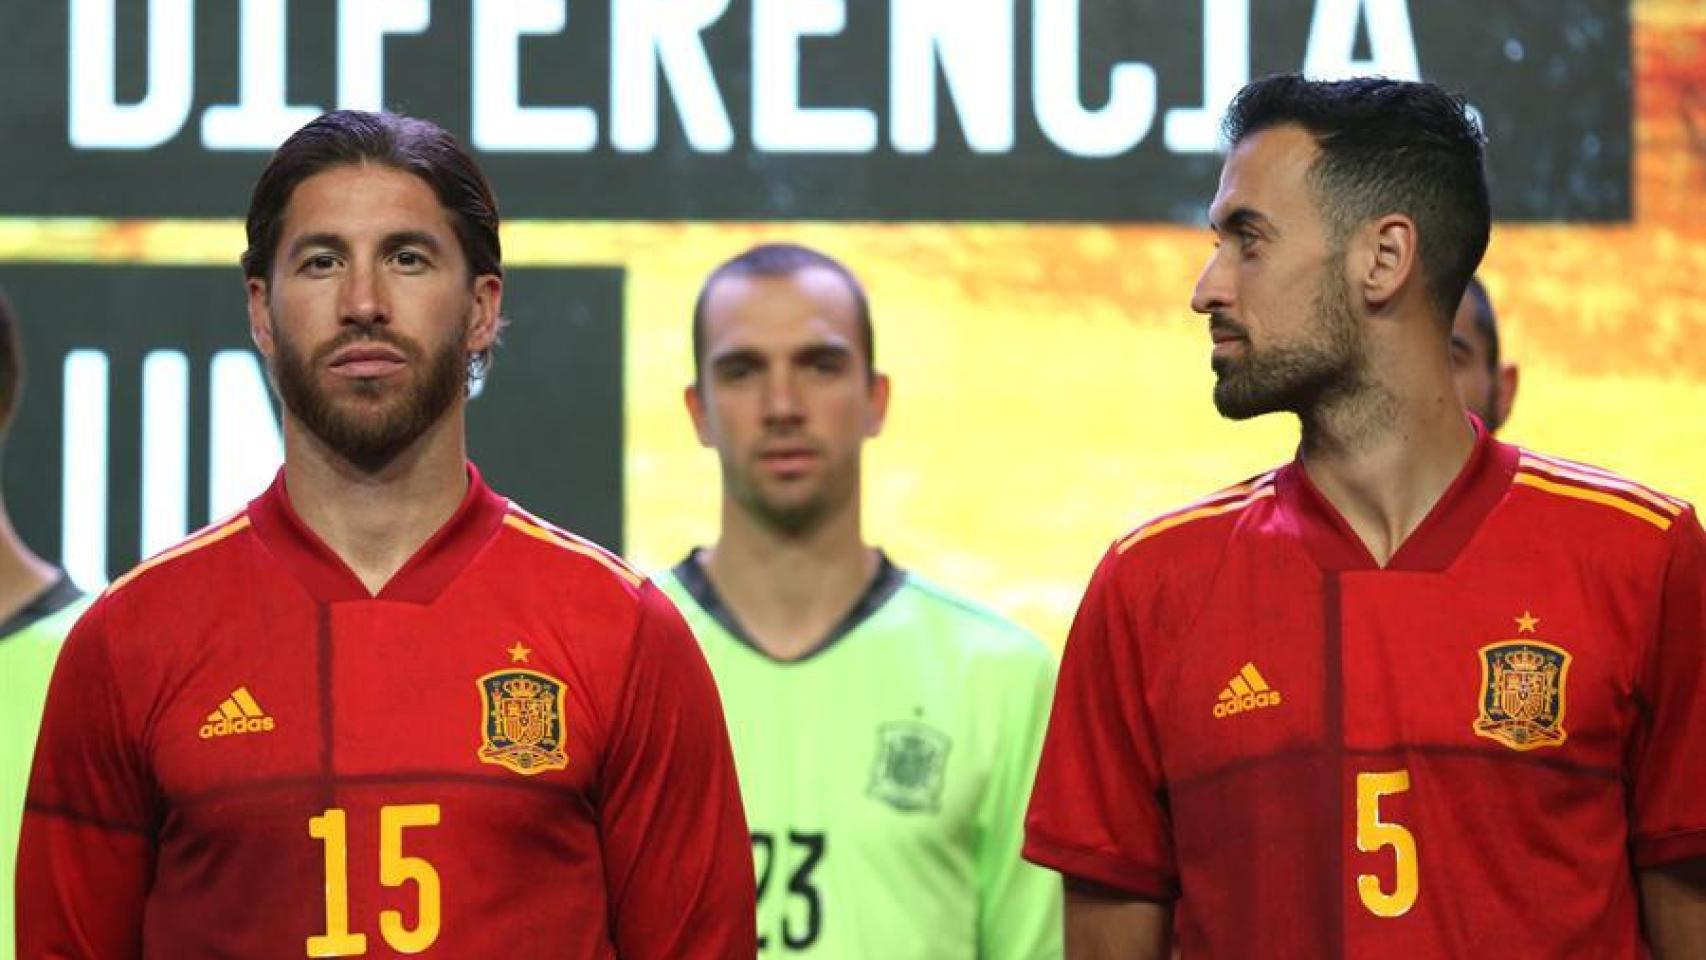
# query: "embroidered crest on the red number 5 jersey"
[[1523, 695]]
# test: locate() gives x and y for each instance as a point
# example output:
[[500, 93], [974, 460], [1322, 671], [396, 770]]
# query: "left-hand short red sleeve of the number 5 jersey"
[[1098, 811]]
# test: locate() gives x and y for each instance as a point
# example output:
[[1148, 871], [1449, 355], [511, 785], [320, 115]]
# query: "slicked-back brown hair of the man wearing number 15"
[[400, 142]]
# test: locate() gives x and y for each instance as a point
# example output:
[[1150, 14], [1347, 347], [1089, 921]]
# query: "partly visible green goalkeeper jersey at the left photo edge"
[[30, 644]]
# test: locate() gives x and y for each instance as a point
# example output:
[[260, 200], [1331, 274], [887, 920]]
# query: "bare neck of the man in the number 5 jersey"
[[1386, 453]]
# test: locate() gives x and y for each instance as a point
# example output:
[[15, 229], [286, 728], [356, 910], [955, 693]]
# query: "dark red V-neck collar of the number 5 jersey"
[[1444, 533]]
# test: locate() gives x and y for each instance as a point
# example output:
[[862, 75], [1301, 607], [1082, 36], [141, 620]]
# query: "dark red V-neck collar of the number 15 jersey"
[[422, 577]]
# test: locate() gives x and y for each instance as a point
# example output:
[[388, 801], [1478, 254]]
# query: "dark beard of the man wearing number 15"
[[369, 431]]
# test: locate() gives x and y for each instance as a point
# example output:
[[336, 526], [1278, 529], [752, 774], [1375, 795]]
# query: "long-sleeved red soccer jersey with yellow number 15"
[[514, 749]]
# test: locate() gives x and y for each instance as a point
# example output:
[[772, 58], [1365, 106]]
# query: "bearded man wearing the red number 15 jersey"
[[383, 710]]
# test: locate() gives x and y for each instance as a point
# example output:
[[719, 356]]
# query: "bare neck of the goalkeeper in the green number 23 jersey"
[[791, 589]]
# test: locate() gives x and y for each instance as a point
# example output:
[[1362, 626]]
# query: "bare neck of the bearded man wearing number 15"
[[374, 521]]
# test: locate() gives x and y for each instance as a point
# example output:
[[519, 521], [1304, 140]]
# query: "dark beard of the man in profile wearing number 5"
[[1296, 378]]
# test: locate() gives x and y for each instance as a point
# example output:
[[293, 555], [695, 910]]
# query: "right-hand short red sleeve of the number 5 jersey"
[[1669, 809]]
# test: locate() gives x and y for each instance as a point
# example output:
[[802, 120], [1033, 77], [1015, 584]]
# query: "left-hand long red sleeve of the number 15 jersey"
[[86, 852]]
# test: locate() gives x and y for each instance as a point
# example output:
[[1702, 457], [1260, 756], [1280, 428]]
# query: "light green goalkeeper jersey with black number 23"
[[886, 777]]
